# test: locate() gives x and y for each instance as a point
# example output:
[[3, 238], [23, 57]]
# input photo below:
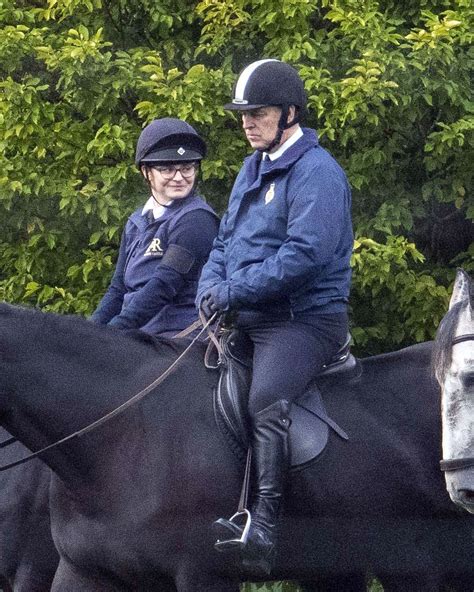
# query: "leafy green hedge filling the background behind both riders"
[[388, 84]]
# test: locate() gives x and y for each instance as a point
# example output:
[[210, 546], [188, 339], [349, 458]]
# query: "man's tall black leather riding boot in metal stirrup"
[[270, 462]]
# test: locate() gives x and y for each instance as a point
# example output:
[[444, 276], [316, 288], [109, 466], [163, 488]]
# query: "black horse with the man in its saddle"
[[132, 502]]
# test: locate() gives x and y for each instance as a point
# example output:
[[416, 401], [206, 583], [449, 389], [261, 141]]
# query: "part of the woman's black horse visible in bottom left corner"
[[28, 558]]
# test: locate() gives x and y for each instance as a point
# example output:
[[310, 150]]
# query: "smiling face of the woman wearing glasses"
[[170, 181]]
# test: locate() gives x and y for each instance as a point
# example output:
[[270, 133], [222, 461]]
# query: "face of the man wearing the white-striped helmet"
[[261, 126]]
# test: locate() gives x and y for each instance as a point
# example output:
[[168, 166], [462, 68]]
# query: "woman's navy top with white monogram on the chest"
[[155, 279]]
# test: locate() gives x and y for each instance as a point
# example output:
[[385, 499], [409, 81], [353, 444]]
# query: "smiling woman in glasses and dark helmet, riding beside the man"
[[166, 242]]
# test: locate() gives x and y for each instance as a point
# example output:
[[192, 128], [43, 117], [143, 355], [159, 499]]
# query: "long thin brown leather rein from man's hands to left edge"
[[120, 409]]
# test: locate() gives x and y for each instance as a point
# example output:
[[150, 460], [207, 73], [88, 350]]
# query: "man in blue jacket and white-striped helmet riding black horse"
[[280, 263]]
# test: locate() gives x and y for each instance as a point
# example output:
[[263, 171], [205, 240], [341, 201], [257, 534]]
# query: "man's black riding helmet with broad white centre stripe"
[[270, 82]]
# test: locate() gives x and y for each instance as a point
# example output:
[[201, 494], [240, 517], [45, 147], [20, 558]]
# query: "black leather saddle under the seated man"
[[310, 424]]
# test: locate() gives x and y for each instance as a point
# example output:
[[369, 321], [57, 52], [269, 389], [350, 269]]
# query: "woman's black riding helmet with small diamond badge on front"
[[169, 140]]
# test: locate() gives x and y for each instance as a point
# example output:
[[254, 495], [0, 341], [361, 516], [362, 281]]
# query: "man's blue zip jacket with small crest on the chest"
[[286, 240]]
